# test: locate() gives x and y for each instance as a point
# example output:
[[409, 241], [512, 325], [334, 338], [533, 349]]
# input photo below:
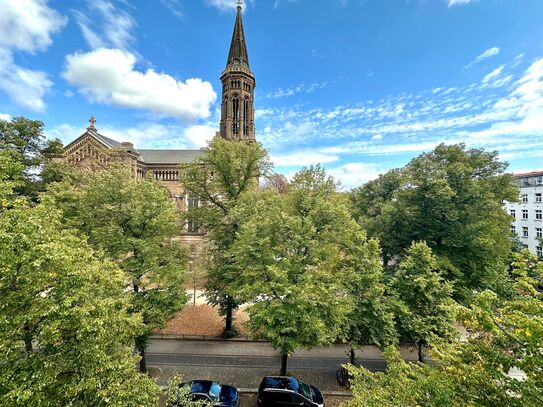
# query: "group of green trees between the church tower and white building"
[[299, 253]]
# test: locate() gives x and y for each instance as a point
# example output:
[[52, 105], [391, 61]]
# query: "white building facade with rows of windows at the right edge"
[[527, 213]]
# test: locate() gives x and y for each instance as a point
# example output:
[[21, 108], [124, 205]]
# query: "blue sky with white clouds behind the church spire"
[[361, 86]]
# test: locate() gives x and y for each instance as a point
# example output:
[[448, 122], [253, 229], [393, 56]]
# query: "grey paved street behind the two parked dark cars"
[[243, 364]]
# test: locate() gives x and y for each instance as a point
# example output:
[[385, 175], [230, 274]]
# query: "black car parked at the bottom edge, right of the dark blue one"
[[288, 391]]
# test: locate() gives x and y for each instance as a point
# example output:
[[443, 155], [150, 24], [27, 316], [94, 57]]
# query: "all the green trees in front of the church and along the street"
[[90, 266]]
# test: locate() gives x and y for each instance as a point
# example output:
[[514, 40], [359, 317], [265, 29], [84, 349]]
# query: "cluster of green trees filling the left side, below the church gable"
[[89, 268]]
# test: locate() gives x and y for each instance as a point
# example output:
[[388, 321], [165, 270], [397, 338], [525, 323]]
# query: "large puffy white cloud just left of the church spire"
[[109, 76]]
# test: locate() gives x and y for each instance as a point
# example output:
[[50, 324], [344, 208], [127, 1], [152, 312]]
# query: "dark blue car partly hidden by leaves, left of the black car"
[[211, 393]]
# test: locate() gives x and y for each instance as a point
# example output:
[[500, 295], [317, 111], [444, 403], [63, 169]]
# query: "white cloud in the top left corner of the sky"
[[26, 26]]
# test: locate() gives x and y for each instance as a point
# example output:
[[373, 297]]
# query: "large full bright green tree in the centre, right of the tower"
[[297, 252]]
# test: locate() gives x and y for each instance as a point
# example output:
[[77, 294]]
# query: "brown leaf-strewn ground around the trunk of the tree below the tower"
[[203, 320]]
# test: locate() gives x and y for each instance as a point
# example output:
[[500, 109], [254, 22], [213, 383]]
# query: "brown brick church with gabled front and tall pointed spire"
[[93, 150]]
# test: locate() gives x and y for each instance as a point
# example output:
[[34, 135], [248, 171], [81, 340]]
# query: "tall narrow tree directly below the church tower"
[[223, 174]]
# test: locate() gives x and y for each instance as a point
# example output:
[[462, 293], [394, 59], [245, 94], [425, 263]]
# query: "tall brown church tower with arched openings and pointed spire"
[[238, 87]]
